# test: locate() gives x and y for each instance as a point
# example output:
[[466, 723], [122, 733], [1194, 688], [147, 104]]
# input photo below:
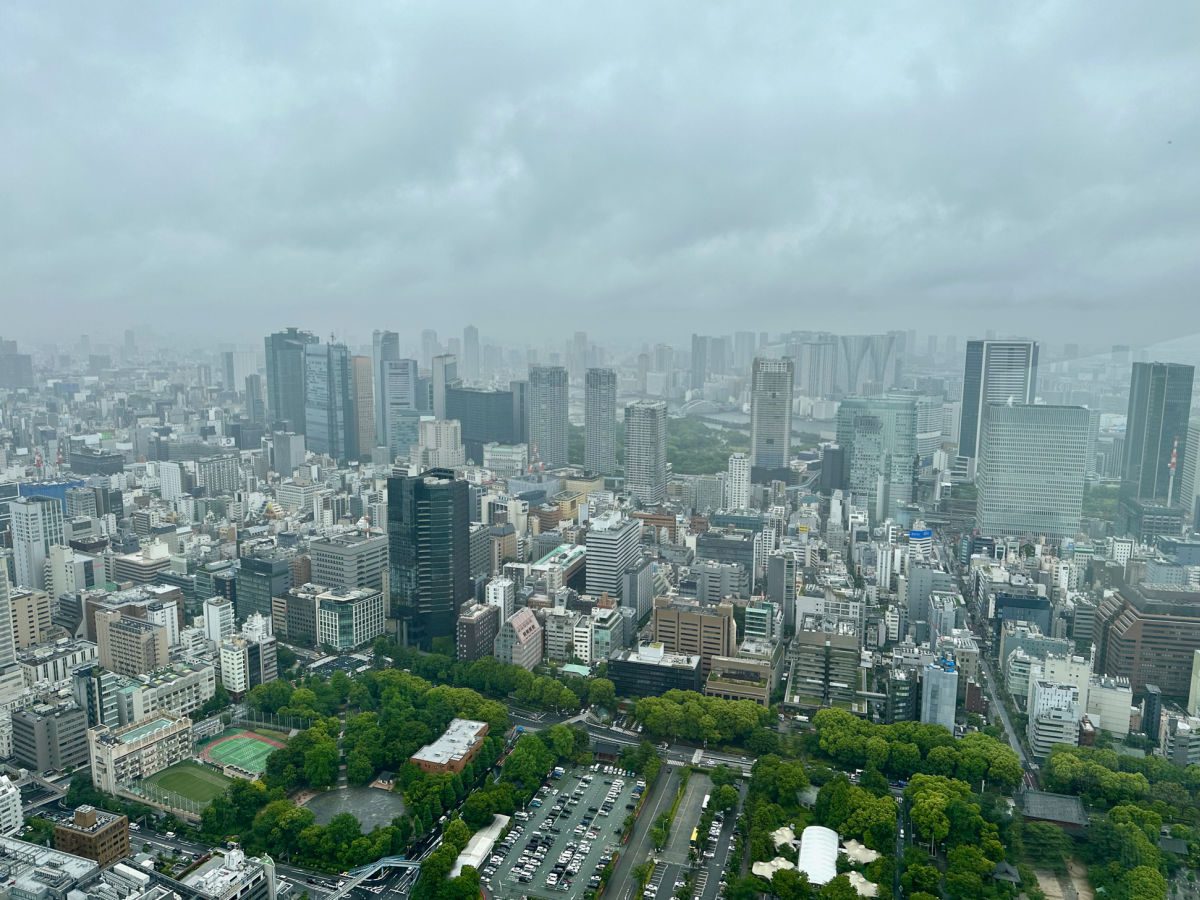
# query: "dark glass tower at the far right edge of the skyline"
[[1156, 437]]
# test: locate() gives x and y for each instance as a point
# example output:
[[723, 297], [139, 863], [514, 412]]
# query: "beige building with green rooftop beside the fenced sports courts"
[[133, 753]]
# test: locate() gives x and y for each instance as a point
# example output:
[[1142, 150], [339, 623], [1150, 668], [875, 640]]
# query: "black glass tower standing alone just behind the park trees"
[[429, 549]]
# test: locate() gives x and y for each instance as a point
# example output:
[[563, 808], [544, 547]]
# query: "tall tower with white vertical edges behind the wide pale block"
[[997, 373]]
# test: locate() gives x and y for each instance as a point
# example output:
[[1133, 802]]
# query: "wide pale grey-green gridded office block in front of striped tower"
[[1033, 465]]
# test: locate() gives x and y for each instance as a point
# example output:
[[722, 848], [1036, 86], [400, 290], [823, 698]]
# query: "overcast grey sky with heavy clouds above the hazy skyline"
[[632, 169]]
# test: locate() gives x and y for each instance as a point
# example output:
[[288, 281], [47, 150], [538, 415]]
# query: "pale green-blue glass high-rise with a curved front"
[[879, 436]]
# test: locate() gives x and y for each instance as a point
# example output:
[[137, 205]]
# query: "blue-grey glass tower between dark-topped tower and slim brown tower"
[[331, 410]]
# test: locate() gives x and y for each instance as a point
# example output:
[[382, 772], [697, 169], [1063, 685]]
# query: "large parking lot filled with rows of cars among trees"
[[572, 833]]
